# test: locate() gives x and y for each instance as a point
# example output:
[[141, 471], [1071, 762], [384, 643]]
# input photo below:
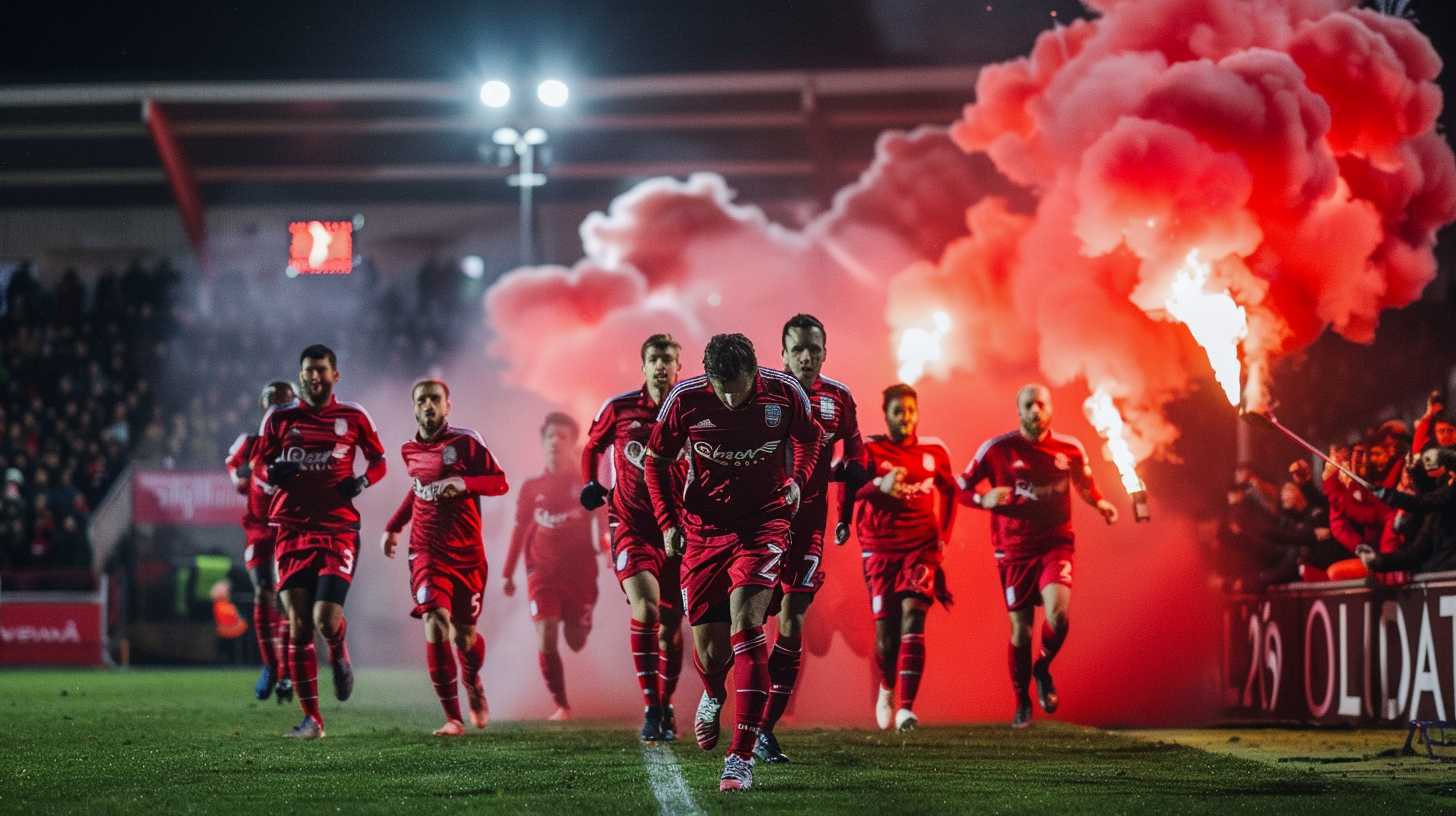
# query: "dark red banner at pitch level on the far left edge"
[[52, 633]]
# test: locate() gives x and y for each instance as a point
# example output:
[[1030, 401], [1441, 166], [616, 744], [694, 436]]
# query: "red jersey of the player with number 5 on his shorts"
[[449, 530]]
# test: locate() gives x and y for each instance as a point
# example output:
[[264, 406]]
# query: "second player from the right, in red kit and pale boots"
[[903, 519]]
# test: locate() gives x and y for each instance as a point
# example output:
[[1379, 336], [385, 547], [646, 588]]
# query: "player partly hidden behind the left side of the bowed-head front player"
[[649, 578]]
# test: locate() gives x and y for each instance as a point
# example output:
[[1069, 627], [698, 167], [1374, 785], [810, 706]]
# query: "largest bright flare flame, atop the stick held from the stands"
[[1215, 320]]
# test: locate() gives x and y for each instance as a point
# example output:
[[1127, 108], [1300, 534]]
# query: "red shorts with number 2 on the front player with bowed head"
[[719, 562]]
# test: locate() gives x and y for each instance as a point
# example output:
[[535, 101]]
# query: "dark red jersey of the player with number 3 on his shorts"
[[323, 442]]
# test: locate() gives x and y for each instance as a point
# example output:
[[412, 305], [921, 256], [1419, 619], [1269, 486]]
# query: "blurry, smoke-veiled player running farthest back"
[[555, 535]]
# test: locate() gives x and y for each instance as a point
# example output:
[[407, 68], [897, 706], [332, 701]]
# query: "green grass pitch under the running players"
[[167, 742]]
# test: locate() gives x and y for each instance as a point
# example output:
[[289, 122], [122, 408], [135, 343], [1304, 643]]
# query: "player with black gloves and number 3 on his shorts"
[[308, 450]]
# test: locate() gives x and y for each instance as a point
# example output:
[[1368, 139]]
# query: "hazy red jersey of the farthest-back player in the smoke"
[[553, 528]]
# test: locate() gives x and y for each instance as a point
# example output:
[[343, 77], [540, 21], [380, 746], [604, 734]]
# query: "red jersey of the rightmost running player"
[[1042, 476]]
